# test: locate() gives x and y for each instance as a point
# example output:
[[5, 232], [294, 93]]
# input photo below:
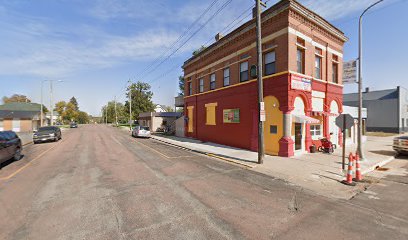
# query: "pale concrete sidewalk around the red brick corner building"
[[318, 172]]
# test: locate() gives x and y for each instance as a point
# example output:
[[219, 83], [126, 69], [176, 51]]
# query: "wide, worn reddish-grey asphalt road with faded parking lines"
[[99, 183]]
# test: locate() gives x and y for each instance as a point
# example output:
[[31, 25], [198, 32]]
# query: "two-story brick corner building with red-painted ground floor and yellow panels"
[[302, 65]]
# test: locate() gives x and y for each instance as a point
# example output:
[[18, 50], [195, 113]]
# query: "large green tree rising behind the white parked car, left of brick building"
[[141, 99]]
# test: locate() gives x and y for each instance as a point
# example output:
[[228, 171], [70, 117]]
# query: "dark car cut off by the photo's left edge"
[[10, 146]]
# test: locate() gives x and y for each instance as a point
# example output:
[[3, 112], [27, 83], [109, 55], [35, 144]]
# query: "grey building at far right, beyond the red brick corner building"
[[387, 110]]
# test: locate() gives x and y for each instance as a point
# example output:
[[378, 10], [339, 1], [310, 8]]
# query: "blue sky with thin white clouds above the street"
[[96, 46]]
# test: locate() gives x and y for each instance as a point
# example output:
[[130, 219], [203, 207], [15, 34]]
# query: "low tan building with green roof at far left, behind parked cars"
[[20, 117]]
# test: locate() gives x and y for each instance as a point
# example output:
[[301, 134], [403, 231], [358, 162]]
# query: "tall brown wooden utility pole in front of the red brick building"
[[261, 146]]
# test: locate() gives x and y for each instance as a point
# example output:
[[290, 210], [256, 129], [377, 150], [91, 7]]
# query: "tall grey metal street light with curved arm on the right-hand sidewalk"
[[360, 81]]
